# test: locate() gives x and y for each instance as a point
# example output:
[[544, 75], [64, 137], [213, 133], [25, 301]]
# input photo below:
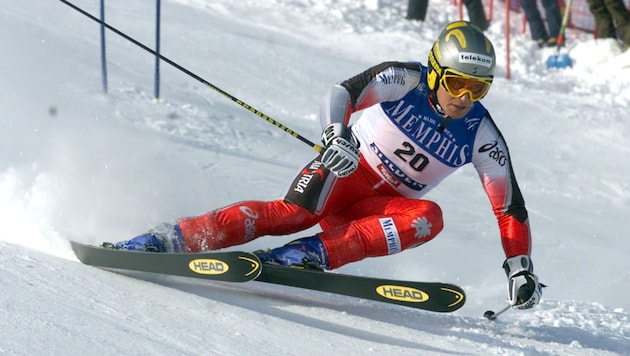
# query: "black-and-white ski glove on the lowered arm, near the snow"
[[524, 291]]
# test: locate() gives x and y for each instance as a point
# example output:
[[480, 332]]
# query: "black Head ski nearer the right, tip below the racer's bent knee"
[[430, 296]]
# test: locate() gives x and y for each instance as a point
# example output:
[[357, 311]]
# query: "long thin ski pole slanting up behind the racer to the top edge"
[[253, 110]]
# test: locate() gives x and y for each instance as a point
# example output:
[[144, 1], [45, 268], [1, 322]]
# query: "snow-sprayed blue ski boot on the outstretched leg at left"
[[164, 238]]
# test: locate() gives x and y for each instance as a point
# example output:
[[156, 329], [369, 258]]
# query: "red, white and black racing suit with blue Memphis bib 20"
[[406, 148]]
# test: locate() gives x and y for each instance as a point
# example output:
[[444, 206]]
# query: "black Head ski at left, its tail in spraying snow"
[[218, 266]]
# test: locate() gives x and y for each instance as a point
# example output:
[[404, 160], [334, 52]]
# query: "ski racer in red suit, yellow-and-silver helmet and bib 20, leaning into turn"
[[419, 124]]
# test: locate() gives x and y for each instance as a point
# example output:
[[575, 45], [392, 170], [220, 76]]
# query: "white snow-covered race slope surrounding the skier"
[[78, 164]]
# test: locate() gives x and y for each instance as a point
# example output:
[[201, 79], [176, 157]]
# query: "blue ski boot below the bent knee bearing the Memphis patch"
[[308, 252]]
